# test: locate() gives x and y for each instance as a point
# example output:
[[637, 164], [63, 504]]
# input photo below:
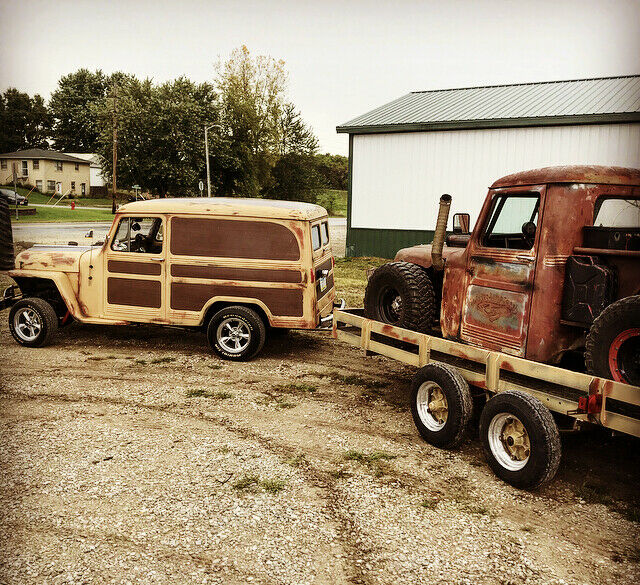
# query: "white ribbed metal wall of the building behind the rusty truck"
[[398, 178]]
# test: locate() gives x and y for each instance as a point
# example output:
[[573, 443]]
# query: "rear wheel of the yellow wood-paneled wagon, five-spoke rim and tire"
[[236, 333]]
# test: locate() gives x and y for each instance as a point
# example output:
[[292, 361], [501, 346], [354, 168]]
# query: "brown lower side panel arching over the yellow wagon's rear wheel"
[[193, 297]]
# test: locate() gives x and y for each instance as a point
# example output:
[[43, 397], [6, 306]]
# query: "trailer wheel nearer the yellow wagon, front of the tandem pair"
[[441, 405]]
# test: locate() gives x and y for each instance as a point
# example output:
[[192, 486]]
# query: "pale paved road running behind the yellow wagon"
[[57, 233]]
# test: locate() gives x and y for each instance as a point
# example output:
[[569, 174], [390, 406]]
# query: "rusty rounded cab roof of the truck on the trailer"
[[591, 174]]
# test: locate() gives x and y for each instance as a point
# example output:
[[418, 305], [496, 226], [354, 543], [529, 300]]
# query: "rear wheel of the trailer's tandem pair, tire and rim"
[[520, 439]]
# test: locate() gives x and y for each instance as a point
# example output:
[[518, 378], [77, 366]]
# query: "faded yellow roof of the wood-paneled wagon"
[[266, 208]]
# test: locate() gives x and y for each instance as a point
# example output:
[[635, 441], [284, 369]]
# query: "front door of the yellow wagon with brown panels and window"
[[135, 270]]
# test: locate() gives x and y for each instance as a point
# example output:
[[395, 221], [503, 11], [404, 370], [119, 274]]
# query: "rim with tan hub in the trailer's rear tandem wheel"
[[509, 441]]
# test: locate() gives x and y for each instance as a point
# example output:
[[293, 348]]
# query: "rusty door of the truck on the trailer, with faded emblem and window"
[[501, 270]]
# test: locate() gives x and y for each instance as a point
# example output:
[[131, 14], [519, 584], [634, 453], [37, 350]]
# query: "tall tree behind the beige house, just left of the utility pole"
[[72, 105]]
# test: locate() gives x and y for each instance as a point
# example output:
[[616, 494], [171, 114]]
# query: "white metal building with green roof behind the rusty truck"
[[405, 154]]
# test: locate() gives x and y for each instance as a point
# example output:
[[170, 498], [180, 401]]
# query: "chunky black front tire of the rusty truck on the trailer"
[[401, 294]]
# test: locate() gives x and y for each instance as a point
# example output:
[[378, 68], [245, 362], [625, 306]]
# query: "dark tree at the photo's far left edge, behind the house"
[[24, 121]]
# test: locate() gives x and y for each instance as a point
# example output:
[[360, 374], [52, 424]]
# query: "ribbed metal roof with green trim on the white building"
[[580, 101]]
